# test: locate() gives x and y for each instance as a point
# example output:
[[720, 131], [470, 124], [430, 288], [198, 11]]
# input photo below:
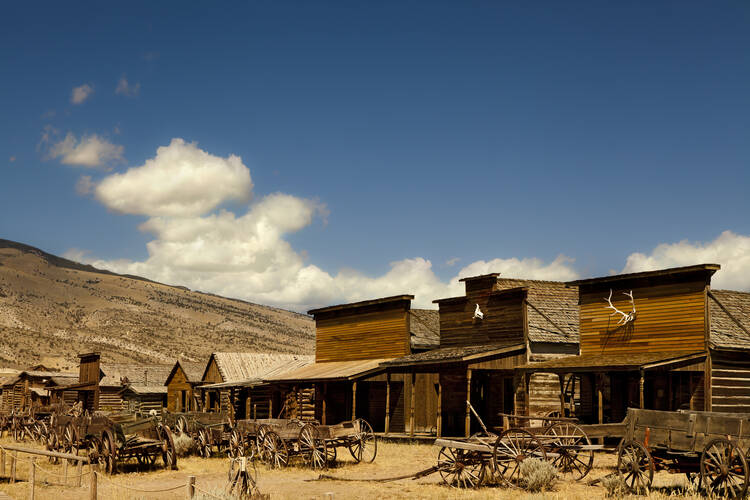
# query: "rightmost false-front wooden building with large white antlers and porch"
[[659, 340]]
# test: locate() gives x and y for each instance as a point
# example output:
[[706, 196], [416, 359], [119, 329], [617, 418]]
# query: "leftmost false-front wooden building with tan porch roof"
[[347, 379]]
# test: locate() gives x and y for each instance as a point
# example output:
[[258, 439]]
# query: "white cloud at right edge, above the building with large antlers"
[[729, 249]]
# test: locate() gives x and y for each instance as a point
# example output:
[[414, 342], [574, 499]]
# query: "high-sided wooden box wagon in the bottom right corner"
[[709, 447]]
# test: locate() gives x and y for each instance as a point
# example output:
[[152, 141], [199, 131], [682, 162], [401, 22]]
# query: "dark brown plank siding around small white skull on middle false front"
[[503, 320]]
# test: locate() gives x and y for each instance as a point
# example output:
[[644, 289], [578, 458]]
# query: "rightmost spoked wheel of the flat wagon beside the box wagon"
[[566, 437]]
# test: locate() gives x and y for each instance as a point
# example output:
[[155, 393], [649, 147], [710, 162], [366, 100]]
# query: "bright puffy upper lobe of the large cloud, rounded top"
[[181, 181]]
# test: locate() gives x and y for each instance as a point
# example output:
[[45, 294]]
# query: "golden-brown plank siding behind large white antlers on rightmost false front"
[[670, 318]]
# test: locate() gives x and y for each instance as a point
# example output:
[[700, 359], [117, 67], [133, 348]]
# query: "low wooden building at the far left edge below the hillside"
[[31, 388]]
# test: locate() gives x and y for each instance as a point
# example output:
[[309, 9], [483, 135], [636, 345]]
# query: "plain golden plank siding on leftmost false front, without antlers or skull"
[[378, 333]]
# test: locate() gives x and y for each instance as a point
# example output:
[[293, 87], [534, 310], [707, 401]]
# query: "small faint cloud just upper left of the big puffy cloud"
[[90, 151]]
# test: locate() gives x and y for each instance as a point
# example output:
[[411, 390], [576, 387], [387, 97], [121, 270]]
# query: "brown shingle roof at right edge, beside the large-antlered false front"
[[730, 319]]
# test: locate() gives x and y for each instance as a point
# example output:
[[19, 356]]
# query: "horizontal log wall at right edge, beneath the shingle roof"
[[730, 382]]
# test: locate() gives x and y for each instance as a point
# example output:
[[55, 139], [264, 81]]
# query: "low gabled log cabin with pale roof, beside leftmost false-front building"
[[234, 380]]
